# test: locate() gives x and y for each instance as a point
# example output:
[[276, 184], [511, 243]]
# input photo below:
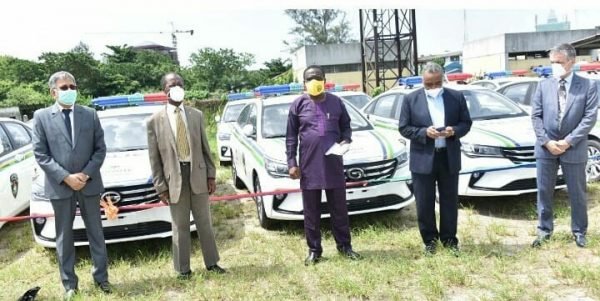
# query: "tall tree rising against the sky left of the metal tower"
[[317, 26]]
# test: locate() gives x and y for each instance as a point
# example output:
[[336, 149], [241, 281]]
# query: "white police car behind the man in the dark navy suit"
[[497, 154]]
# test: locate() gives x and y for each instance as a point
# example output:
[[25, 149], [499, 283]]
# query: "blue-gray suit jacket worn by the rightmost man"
[[578, 120]]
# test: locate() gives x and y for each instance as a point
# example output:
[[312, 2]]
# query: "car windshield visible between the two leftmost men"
[[125, 133]]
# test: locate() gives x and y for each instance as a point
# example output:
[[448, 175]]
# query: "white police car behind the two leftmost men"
[[126, 173]]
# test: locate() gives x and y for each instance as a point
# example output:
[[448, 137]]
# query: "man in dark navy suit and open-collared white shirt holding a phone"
[[434, 119]]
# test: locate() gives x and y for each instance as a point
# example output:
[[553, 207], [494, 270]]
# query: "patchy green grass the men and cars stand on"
[[496, 262]]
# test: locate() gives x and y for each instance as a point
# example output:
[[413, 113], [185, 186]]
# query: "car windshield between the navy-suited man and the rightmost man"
[[484, 105]]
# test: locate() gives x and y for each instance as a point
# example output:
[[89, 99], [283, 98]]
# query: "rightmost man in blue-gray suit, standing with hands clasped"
[[563, 113]]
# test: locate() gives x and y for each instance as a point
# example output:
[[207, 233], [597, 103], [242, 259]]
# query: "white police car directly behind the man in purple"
[[259, 161]]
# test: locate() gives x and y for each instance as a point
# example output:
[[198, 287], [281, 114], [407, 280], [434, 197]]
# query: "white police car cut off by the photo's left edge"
[[16, 166]]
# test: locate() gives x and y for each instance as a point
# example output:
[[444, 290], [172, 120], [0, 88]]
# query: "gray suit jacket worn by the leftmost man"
[[56, 155]]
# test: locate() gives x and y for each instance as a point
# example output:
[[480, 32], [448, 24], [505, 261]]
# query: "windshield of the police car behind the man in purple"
[[274, 120]]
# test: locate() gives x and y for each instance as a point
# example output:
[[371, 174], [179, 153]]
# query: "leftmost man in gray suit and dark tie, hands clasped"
[[68, 144]]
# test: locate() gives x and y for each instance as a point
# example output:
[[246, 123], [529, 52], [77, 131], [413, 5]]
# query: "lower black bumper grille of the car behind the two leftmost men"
[[126, 231]]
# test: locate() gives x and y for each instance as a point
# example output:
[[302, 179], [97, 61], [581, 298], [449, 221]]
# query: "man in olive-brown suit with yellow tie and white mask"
[[183, 173]]
